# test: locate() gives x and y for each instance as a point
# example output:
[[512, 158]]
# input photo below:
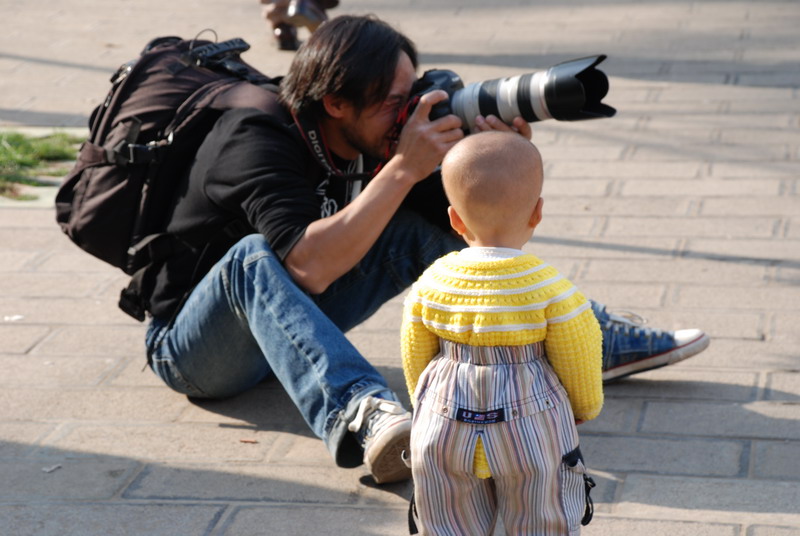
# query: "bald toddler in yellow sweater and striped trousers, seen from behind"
[[502, 357]]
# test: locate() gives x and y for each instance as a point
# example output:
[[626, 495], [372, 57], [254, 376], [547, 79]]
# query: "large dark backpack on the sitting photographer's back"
[[143, 138]]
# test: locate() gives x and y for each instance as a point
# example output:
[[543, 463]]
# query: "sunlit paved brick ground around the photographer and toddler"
[[684, 208]]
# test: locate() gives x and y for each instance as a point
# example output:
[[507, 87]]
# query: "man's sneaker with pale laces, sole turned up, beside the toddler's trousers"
[[383, 427]]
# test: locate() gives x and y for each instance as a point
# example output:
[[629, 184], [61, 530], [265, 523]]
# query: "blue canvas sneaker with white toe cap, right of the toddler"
[[629, 347]]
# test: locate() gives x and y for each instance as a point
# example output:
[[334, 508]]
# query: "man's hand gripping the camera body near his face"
[[423, 143]]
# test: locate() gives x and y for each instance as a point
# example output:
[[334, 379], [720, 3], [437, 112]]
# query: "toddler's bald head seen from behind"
[[493, 180]]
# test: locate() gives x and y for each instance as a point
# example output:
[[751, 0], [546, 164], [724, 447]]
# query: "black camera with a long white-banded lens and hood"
[[569, 91]]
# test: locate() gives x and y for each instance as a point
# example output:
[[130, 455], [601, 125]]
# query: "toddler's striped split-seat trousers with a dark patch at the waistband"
[[510, 398]]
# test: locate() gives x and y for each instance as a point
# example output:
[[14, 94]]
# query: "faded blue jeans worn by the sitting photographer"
[[247, 321]]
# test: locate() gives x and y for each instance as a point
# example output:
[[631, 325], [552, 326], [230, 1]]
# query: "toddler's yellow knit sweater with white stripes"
[[507, 302]]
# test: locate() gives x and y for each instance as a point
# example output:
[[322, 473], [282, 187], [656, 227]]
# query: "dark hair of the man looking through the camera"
[[352, 57]]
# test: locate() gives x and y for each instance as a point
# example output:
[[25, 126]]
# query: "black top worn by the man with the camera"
[[254, 169]]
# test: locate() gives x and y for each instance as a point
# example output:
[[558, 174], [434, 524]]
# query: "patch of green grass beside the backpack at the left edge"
[[24, 158]]
